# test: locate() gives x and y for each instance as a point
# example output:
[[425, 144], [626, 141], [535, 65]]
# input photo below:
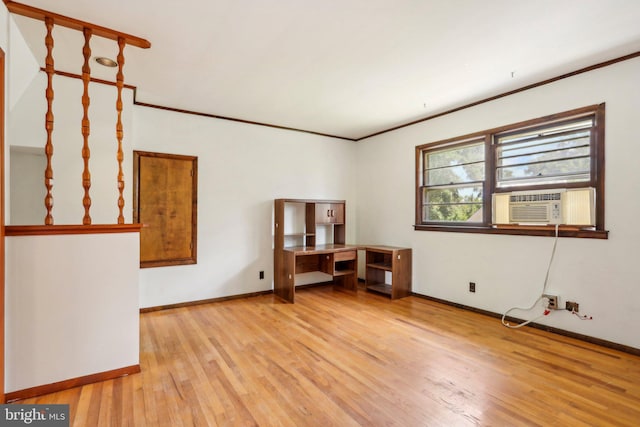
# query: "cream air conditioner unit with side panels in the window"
[[541, 207]]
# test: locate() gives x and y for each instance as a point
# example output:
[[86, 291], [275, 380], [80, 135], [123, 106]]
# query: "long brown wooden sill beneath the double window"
[[519, 230]]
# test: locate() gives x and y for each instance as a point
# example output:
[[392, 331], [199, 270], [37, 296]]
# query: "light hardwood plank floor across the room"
[[338, 359]]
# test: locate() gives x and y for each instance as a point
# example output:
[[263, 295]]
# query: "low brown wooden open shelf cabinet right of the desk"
[[385, 261]]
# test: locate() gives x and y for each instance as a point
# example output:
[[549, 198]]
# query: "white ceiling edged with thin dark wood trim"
[[348, 68]]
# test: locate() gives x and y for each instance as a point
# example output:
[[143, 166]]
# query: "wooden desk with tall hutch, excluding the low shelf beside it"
[[310, 254]]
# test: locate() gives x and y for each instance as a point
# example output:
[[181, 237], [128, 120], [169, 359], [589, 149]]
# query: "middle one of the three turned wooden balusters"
[[86, 153]]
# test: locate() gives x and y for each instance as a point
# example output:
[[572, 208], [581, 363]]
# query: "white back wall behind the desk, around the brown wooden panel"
[[242, 168]]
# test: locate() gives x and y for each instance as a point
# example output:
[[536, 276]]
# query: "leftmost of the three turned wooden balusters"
[[48, 148]]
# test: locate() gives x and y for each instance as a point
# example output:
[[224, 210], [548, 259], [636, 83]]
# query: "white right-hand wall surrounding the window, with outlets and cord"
[[601, 275]]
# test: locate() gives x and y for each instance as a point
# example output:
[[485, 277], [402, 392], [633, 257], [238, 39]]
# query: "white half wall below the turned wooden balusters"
[[72, 315]]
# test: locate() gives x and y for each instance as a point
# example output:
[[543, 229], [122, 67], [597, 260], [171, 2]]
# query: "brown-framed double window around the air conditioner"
[[456, 178]]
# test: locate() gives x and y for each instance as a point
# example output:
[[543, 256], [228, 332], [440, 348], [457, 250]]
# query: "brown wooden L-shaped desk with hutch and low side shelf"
[[301, 223]]
